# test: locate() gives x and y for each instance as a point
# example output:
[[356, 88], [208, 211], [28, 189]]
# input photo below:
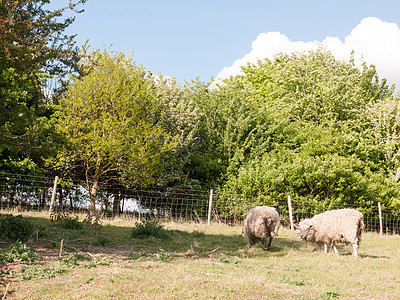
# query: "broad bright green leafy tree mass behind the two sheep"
[[299, 126]]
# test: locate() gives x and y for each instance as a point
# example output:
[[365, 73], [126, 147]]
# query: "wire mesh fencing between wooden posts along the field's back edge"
[[26, 193]]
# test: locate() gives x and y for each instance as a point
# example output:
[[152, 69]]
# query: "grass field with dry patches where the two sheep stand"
[[199, 262]]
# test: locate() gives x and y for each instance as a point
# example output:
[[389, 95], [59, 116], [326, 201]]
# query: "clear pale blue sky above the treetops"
[[190, 38]]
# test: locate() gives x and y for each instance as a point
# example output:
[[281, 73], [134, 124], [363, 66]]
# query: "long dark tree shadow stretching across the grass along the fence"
[[117, 240]]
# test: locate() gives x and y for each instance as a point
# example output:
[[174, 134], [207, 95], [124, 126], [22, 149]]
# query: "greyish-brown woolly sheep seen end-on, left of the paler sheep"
[[260, 223]]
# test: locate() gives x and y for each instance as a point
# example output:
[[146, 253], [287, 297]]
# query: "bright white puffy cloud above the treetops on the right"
[[373, 40]]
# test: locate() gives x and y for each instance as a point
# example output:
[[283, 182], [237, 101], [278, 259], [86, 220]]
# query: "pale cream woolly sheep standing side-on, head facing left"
[[334, 226]]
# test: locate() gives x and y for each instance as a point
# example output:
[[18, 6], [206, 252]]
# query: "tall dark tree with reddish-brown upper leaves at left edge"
[[33, 50]]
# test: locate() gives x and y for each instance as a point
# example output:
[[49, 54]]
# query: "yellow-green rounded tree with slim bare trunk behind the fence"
[[109, 120]]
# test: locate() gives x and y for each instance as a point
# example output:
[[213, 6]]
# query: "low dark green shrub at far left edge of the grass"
[[15, 228]]
